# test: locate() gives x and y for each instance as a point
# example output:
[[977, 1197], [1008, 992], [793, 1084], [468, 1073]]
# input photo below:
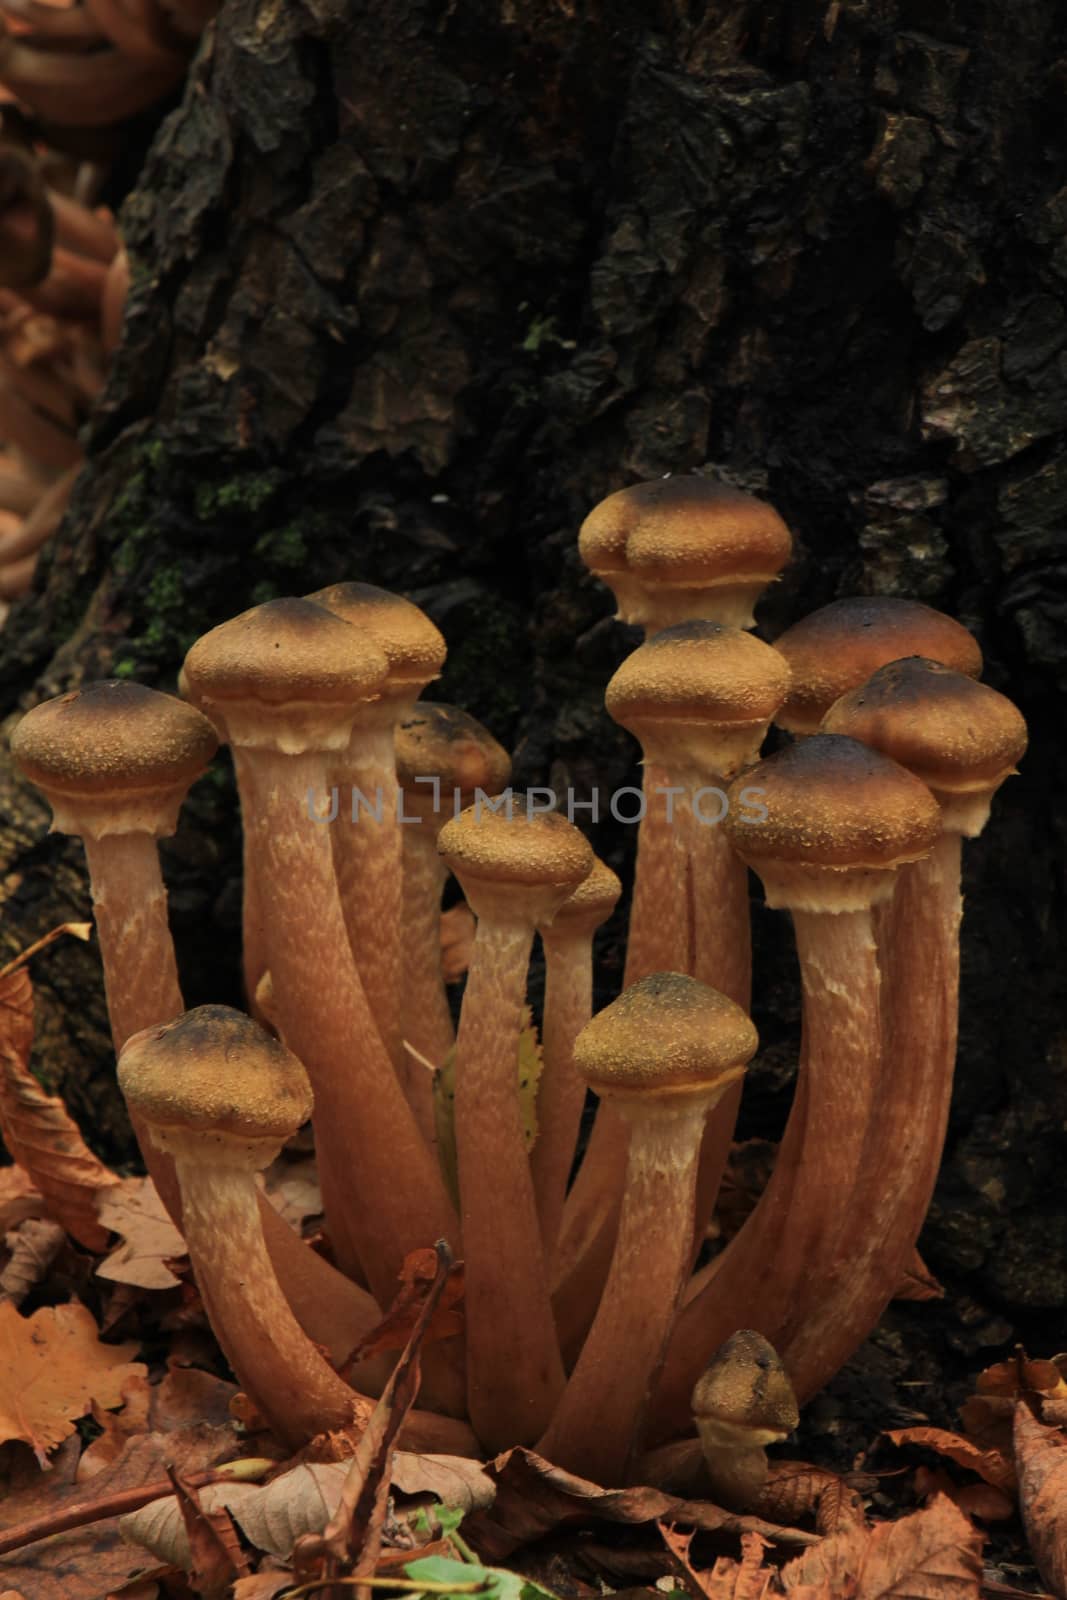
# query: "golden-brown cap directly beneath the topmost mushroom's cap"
[[700, 695]]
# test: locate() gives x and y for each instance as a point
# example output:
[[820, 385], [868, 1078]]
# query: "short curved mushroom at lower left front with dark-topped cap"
[[220, 1097]]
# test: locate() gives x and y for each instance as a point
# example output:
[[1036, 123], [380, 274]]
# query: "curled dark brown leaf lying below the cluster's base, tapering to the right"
[[533, 1498]]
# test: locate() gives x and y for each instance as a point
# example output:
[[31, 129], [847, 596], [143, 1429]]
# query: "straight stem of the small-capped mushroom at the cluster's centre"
[[514, 1370]]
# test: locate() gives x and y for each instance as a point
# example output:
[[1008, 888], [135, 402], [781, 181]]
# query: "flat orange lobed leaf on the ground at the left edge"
[[52, 1369]]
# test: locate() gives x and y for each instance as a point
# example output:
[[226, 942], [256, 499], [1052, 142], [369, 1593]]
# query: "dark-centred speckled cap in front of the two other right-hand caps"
[[828, 822]]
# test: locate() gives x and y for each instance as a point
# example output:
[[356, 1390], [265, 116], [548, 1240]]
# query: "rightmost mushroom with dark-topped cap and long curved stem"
[[962, 740]]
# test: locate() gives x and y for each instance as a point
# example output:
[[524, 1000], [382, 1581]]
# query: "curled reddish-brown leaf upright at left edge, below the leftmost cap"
[[38, 1129]]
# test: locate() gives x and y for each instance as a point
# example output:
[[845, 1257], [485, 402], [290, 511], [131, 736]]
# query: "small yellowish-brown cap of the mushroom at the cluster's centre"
[[519, 849]]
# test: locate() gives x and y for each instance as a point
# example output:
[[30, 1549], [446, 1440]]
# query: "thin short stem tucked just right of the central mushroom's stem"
[[569, 1004]]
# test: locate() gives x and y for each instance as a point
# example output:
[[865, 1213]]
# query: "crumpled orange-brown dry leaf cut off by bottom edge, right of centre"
[[935, 1554]]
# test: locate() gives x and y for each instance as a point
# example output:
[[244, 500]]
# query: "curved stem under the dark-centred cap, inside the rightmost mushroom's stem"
[[778, 1268]]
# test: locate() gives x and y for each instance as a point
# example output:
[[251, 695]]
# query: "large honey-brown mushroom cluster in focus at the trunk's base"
[[591, 1332]]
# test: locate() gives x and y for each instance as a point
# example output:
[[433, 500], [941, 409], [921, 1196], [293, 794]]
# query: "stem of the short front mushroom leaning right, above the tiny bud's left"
[[597, 1426]]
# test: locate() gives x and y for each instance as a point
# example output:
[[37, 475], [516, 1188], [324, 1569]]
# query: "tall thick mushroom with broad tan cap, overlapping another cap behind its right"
[[287, 681]]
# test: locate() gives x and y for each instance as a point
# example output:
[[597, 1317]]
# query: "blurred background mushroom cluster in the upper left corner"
[[71, 74]]
